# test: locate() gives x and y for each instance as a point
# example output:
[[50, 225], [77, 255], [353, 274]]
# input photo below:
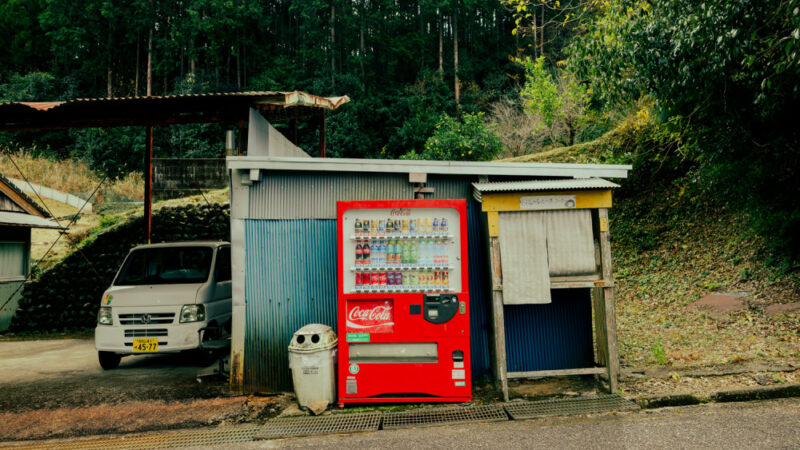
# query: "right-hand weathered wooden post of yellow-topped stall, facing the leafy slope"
[[608, 301]]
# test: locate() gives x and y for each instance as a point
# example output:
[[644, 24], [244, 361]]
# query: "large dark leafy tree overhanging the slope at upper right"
[[723, 77]]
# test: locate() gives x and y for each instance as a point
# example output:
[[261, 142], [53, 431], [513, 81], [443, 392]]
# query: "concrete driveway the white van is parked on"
[[65, 373]]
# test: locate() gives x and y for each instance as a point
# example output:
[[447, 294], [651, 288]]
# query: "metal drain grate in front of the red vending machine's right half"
[[443, 416]]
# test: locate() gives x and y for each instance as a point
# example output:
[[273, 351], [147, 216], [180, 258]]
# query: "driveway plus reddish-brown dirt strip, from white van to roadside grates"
[[56, 388]]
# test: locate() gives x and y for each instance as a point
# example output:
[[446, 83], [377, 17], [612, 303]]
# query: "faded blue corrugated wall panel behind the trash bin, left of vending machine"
[[290, 281]]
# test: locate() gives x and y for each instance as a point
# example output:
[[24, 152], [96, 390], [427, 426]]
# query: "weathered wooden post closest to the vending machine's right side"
[[500, 364]]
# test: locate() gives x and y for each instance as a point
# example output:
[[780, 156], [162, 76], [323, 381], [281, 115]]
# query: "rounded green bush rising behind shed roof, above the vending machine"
[[460, 139]]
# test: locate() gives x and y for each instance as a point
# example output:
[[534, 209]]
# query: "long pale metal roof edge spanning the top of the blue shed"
[[430, 167]]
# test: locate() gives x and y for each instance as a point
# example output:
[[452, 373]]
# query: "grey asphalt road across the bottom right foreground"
[[768, 424]]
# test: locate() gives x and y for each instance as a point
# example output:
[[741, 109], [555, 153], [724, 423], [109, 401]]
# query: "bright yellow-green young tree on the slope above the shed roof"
[[560, 105]]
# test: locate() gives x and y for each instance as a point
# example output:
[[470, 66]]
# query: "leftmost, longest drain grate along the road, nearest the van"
[[199, 438]]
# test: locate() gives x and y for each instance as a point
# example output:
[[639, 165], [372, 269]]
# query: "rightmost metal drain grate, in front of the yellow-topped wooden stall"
[[564, 407]]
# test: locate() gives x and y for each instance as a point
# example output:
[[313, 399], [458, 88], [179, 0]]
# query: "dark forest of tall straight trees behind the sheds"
[[402, 62]]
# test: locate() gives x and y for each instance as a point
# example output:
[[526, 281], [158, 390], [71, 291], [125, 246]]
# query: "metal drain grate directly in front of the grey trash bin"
[[308, 425]]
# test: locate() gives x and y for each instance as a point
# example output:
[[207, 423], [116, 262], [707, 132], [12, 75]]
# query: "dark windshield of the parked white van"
[[166, 265]]
